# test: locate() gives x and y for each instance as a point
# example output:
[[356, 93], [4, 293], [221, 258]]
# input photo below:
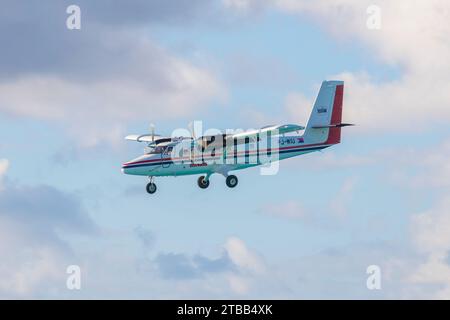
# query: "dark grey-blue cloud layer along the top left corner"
[[108, 39]]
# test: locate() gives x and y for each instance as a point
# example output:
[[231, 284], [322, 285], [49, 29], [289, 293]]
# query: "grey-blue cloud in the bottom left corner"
[[35, 254]]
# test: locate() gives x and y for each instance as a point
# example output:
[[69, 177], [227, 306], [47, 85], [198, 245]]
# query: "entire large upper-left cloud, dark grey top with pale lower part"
[[102, 76]]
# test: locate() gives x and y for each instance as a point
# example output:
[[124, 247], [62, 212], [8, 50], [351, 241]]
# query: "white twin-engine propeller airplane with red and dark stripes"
[[226, 152]]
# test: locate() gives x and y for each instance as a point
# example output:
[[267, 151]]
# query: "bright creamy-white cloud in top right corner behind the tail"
[[413, 38]]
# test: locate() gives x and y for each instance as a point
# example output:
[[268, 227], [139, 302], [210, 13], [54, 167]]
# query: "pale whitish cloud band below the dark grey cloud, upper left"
[[100, 110]]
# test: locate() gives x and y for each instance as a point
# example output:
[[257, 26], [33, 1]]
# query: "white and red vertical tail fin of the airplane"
[[324, 124]]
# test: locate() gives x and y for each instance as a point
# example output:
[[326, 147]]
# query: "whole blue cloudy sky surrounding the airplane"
[[68, 98]]
